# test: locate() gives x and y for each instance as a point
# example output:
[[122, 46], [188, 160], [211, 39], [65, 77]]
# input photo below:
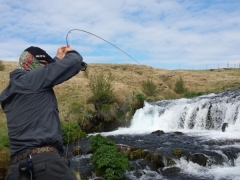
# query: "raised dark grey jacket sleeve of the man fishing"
[[56, 72]]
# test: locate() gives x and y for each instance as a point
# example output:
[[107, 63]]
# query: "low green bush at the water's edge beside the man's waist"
[[71, 131]]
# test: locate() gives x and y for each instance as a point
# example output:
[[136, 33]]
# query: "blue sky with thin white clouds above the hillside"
[[169, 34]]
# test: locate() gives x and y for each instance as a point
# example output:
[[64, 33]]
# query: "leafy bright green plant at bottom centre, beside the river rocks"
[[107, 162]]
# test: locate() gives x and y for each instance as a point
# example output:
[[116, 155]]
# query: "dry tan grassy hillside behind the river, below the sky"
[[129, 78]]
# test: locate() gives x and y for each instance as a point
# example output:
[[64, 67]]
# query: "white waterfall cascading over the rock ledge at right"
[[207, 112]]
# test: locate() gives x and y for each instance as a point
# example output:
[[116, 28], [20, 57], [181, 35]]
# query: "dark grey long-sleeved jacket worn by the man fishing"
[[31, 106]]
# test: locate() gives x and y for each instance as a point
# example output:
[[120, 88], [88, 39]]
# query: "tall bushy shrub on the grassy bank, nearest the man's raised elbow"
[[102, 88]]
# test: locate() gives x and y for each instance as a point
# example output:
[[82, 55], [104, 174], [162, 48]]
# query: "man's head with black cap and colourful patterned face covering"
[[34, 57]]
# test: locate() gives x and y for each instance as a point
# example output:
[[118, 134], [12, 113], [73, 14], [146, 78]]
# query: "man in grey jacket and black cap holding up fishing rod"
[[31, 109]]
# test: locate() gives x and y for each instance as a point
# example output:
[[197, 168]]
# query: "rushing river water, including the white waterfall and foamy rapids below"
[[201, 120]]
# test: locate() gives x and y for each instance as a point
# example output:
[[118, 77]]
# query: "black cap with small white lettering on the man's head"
[[39, 54]]
